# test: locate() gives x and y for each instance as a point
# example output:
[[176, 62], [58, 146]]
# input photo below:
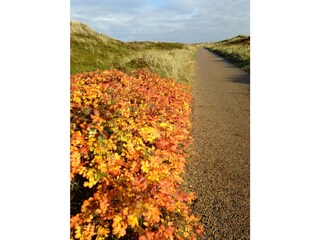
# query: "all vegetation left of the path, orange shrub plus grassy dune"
[[130, 138]]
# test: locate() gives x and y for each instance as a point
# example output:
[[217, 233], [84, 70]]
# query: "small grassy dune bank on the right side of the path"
[[236, 49]]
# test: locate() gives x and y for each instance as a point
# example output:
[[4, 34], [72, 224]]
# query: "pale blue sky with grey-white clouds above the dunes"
[[188, 21]]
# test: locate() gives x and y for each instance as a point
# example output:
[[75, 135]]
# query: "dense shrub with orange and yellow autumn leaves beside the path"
[[130, 136]]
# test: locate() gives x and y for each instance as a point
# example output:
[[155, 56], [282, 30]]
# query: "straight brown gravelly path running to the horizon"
[[219, 173]]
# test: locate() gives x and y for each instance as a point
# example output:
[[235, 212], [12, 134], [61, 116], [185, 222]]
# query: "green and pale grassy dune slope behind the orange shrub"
[[91, 51]]
